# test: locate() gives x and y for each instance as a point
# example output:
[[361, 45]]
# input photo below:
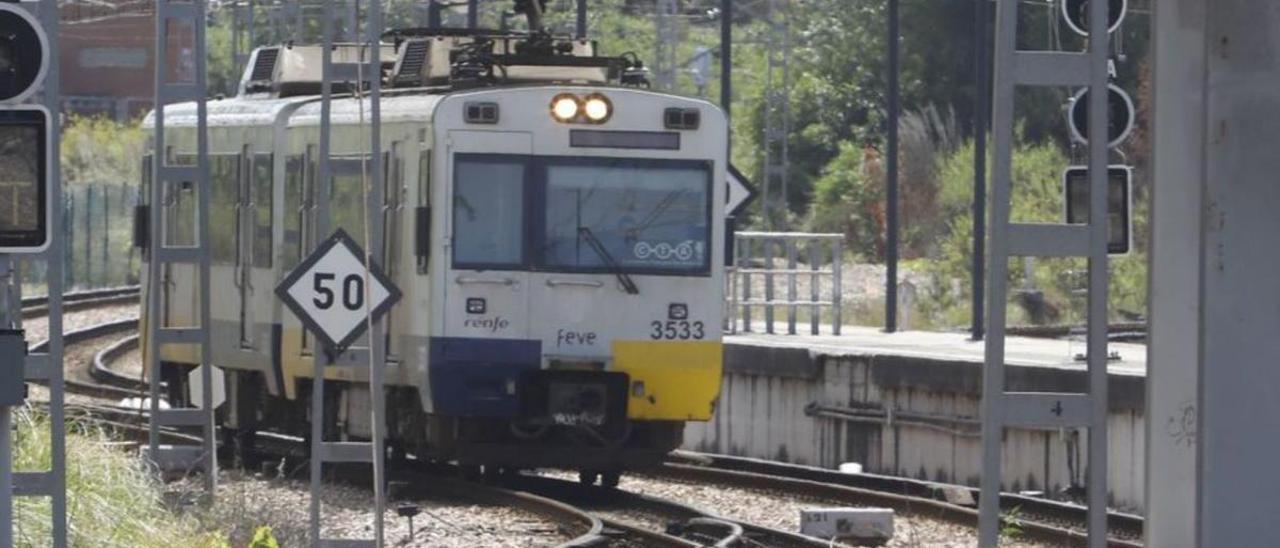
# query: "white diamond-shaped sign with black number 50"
[[333, 294]]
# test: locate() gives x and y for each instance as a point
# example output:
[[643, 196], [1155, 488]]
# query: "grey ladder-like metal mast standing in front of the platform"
[[1044, 410]]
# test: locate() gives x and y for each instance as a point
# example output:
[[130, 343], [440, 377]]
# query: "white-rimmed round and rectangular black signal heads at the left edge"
[[25, 139]]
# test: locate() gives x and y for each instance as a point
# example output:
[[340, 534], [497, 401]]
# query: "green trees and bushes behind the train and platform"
[[839, 126]]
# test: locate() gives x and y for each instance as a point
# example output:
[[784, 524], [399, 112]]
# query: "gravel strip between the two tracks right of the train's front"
[[783, 512]]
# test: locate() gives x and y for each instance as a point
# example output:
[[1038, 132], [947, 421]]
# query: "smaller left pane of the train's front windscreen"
[[488, 212]]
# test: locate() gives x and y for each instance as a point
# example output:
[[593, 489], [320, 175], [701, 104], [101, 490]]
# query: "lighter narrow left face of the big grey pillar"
[[1174, 345]]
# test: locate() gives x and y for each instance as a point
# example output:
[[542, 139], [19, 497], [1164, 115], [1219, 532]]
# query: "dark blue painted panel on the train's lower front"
[[470, 377]]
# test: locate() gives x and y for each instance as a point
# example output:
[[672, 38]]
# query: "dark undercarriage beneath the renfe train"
[[477, 445]]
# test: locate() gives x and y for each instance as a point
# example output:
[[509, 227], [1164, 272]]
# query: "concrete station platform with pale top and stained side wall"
[[909, 404]]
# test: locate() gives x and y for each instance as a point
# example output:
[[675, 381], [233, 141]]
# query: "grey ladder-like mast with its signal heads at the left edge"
[[29, 188]]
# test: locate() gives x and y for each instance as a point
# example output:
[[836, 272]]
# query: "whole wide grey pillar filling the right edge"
[[1219, 88]]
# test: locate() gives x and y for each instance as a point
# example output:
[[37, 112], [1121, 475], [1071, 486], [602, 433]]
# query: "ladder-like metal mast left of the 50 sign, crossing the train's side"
[[168, 181]]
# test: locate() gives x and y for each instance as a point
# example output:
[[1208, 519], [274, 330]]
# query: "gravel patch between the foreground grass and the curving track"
[[248, 503]]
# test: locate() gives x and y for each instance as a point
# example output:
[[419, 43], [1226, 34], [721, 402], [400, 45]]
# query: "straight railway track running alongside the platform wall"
[[1037, 519]]
